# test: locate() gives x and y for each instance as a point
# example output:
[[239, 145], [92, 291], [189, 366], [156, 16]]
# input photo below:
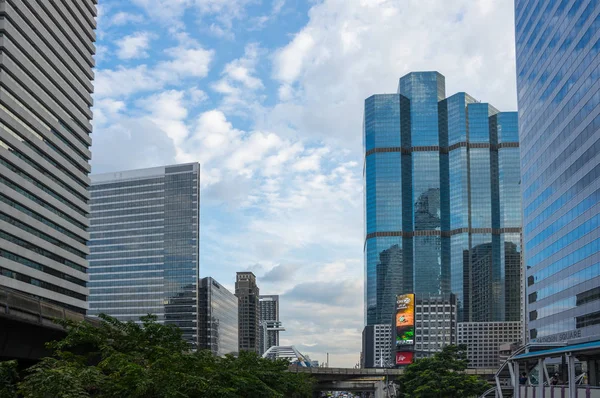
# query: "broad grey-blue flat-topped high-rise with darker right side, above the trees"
[[144, 245]]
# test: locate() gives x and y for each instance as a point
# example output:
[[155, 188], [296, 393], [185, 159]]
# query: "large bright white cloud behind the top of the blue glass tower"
[[351, 49]]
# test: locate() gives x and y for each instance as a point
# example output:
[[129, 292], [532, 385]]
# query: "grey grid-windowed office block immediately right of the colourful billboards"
[[435, 324]]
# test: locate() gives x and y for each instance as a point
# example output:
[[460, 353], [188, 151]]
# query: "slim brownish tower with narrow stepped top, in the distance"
[[248, 311]]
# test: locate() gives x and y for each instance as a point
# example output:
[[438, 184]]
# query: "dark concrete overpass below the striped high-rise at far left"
[[26, 325]]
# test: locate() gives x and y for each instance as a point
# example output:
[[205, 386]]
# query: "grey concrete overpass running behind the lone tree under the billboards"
[[376, 381]]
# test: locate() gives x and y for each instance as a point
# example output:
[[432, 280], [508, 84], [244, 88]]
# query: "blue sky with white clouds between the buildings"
[[267, 95]]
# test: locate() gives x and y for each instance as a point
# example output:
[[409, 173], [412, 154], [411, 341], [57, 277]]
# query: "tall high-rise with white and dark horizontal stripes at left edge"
[[46, 61]]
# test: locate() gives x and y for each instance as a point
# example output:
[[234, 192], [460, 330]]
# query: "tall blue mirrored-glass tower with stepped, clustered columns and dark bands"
[[442, 201]]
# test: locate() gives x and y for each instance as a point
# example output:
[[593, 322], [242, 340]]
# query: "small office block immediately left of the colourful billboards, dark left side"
[[377, 346]]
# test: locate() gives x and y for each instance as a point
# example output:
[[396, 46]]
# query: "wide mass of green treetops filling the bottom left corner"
[[147, 360]]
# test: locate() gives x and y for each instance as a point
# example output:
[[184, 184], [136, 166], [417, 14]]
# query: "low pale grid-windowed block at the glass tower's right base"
[[486, 340]]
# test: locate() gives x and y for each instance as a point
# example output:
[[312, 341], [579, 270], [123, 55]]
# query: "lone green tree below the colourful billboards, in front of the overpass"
[[441, 376]]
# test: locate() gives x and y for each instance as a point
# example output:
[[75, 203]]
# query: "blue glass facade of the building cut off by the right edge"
[[558, 79]]
